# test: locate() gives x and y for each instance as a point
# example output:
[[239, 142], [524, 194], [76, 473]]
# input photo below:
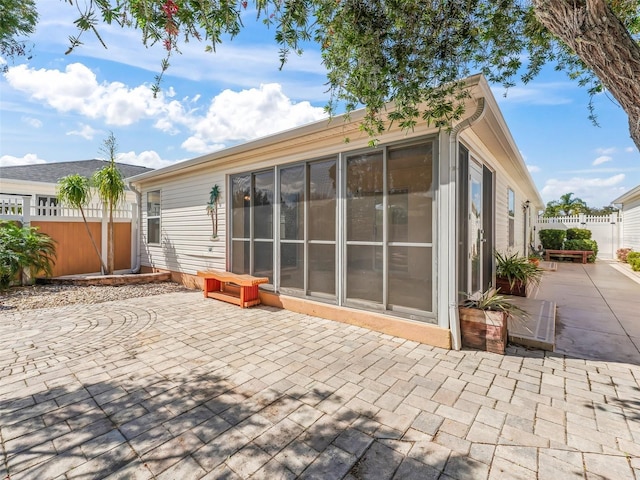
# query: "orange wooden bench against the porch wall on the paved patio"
[[232, 287]]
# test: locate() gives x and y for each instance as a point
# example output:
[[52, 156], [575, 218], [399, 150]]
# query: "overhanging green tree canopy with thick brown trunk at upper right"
[[413, 53]]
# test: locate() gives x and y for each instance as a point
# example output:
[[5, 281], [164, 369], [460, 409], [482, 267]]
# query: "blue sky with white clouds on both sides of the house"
[[58, 108]]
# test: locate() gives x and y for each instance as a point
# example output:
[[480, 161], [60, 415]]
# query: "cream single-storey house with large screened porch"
[[383, 237]]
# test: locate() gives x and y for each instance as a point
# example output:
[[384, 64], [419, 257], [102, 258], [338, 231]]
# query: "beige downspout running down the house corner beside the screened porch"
[[454, 321]]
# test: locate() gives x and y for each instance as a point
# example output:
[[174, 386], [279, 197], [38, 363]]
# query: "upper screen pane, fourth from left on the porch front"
[[322, 201]]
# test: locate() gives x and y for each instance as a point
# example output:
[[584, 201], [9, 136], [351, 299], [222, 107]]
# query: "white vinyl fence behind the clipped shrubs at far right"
[[605, 230]]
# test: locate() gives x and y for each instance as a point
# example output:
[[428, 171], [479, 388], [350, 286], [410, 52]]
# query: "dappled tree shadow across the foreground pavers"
[[148, 425]]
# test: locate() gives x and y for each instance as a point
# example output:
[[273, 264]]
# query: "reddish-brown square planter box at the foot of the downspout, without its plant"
[[483, 330]]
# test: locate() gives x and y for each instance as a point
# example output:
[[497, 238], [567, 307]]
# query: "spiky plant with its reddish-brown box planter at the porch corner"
[[483, 321]]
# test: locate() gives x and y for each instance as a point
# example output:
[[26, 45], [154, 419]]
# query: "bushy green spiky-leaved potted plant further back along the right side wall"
[[515, 274]]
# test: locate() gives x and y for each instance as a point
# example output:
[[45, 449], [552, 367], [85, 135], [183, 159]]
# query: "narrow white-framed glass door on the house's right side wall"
[[476, 231]]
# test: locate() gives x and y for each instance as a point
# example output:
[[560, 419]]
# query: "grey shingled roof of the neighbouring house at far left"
[[52, 172]]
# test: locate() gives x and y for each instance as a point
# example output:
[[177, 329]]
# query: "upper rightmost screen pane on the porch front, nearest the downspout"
[[410, 189]]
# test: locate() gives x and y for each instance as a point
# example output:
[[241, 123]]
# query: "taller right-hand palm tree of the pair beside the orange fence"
[[110, 186]]
